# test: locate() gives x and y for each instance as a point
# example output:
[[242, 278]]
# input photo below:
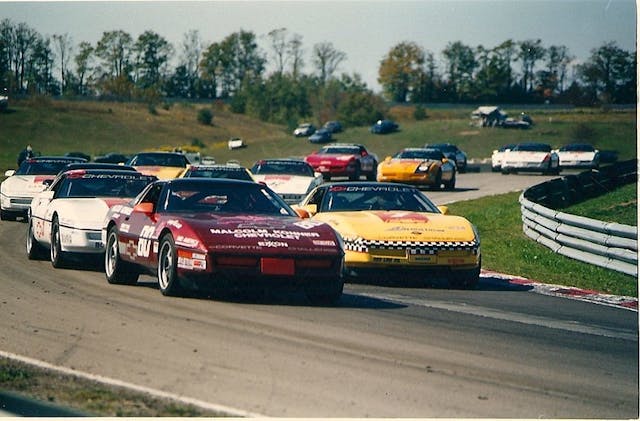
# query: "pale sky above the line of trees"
[[364, 30]]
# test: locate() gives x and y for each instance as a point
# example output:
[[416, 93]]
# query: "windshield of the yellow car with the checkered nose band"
[[377, 198]]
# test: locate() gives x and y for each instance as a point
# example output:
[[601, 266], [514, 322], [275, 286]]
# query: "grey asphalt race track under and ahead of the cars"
[[500, 351]]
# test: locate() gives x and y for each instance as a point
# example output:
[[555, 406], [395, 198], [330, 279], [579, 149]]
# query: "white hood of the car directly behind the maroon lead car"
[[85, 212]]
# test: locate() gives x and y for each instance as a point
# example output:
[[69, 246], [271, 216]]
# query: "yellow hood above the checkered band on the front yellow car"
[[399, 226]]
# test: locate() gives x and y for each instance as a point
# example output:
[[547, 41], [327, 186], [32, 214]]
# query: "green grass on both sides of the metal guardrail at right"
[[506, 249]]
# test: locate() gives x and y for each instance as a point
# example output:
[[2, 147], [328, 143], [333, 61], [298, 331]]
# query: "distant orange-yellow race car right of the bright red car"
[[420, 167]]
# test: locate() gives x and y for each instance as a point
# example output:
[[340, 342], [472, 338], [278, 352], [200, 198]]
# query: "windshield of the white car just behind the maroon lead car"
[[103, 185]]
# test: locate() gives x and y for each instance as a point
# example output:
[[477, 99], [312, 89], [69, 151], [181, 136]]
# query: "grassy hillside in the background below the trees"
[[56, 127]]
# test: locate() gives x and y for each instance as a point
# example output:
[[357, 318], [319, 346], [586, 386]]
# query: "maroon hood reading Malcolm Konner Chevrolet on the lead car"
[[270, 235]]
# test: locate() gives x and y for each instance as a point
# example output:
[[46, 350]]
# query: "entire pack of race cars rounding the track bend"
[[280, 224]]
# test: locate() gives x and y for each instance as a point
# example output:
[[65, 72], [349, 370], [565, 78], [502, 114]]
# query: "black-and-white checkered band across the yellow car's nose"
[[414, 247]]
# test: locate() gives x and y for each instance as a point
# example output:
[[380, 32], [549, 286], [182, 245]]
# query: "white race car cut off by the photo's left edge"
[[29, 179]]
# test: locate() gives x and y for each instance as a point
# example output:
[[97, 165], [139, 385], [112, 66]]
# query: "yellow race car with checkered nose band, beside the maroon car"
[[395, 231]]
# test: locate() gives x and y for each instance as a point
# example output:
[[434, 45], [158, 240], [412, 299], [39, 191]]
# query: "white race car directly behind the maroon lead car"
[[67, 217]]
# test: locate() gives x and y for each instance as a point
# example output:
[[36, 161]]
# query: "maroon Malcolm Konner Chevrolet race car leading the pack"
[[203, 234]]
